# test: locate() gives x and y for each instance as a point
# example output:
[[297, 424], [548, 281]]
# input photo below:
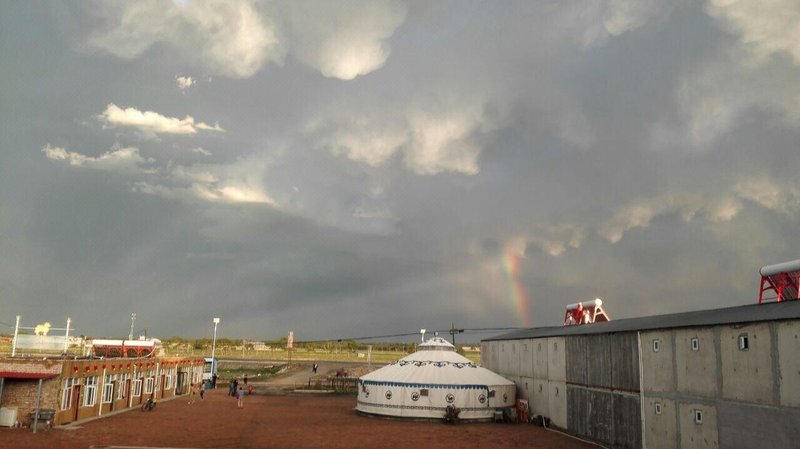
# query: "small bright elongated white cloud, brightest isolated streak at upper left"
[[151, 123]]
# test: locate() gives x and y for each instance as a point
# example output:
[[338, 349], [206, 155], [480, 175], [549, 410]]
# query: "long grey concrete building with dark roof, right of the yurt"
[[724, 378]]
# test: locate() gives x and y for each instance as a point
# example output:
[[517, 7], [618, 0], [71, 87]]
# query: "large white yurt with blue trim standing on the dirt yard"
[[424, 383]]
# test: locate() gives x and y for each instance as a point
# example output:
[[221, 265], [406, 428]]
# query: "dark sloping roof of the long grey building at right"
[[751, 313]]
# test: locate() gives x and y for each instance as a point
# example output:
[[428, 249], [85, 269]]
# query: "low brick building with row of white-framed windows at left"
[[77, 389]]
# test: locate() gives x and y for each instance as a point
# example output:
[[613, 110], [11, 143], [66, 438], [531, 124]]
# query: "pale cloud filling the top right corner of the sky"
[[767, 28]]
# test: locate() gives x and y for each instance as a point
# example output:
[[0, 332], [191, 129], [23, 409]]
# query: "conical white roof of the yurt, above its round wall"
[[436, 363]]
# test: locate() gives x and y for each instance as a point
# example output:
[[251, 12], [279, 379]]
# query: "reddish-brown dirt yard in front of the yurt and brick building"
[[278, 420]]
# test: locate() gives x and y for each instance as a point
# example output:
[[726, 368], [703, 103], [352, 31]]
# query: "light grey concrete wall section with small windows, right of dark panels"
[[747, 396]]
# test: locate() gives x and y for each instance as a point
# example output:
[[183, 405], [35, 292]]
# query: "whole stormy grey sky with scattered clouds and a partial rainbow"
[[348, 169]]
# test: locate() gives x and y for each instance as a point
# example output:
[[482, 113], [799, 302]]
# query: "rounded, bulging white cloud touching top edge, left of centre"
[[343, 40]]
